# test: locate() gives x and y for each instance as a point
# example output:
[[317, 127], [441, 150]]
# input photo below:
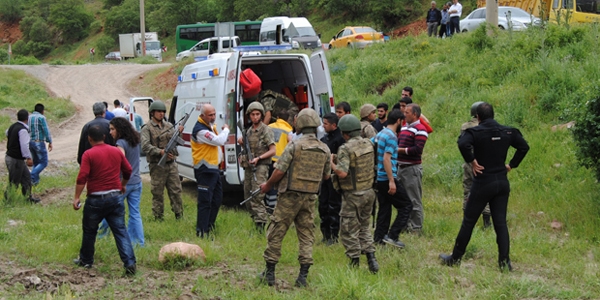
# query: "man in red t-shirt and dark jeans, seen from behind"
[[101, 170]]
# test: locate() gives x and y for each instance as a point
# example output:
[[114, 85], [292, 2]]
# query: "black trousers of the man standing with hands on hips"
[[495, 191]]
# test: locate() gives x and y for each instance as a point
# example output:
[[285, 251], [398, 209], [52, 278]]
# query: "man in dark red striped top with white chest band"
[[411, 141]]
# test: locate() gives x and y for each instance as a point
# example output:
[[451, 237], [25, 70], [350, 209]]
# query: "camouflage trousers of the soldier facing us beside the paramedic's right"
[[256, 206]]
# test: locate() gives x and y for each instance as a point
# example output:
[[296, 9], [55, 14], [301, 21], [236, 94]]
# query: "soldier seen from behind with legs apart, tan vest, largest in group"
[[300, 169]]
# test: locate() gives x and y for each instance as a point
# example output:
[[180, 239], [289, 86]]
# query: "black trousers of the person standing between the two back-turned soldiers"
[[330, 204]]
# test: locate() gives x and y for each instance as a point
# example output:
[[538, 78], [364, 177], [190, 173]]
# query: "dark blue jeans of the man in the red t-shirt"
[[110, 208]]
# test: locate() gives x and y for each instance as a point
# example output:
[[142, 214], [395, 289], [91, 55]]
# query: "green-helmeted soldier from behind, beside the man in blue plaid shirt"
[[354, 173]]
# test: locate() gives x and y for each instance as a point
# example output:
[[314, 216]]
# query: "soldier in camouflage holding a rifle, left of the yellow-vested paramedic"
[[155, 136]]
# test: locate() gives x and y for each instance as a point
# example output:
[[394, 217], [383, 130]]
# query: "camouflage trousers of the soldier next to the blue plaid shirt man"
[[355, 219]]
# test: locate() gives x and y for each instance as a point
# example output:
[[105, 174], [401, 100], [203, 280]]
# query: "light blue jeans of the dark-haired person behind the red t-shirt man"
[[135, 228]]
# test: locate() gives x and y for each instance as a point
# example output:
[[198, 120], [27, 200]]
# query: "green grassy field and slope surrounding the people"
[[535, 80]]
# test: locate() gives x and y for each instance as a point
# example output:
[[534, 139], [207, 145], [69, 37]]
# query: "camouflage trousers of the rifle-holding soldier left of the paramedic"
[[159, 179]]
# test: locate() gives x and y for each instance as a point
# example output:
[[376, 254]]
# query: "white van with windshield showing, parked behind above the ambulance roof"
[[284, 30]]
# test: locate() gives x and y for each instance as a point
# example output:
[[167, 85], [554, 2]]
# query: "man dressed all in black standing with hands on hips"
[[485, 147]]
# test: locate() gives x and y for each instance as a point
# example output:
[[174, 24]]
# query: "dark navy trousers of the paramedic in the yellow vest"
[[210, 197]]
